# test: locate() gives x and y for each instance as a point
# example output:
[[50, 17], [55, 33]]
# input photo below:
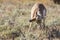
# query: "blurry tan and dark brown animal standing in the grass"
[[38, 13]]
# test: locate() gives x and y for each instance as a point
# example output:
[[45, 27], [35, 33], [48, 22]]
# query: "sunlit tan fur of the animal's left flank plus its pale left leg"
[[33, 13]]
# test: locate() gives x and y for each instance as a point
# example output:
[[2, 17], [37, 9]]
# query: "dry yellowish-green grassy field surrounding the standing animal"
[[14, 21]]
